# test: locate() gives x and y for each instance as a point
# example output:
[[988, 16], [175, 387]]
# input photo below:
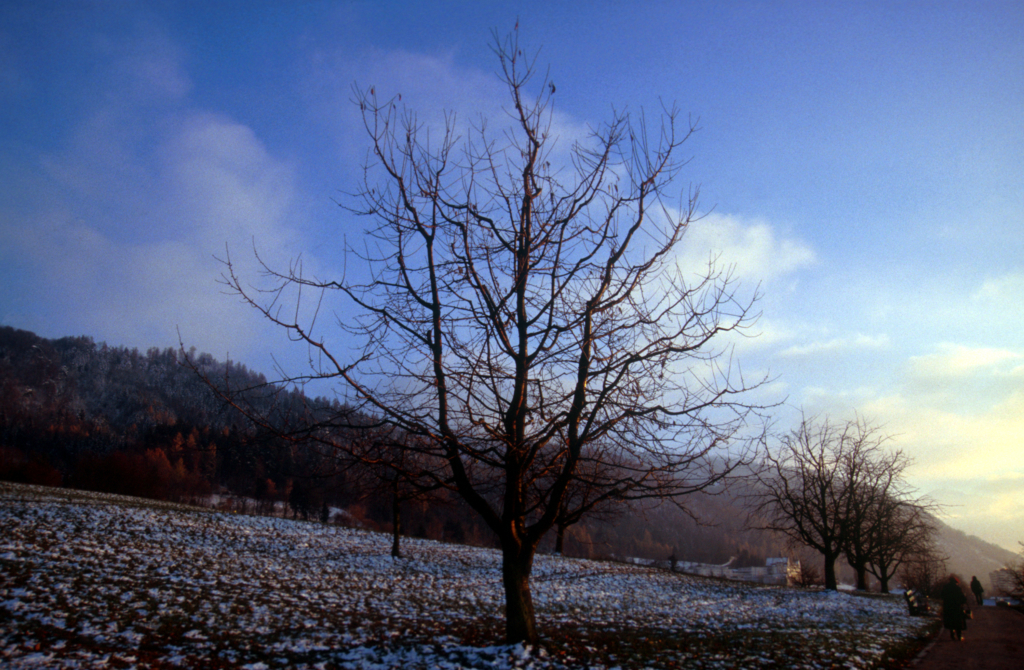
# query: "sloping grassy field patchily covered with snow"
[[97, 581]]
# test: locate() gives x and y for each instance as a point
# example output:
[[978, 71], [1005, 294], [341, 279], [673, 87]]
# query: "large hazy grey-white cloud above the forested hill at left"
[[119, 232]]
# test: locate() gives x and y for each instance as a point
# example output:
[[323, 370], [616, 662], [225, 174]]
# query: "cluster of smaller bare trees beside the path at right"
[[836, 488]]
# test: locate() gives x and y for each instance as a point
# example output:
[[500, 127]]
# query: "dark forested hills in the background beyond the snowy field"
[[87, 415]]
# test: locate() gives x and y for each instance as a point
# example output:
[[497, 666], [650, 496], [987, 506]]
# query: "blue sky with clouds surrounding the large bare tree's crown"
[[864, 162]]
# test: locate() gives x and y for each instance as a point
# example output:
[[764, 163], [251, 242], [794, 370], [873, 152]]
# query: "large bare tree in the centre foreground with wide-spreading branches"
[[518, 313]]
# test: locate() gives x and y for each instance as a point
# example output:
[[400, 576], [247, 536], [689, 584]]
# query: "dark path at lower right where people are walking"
[[994, 641]]
